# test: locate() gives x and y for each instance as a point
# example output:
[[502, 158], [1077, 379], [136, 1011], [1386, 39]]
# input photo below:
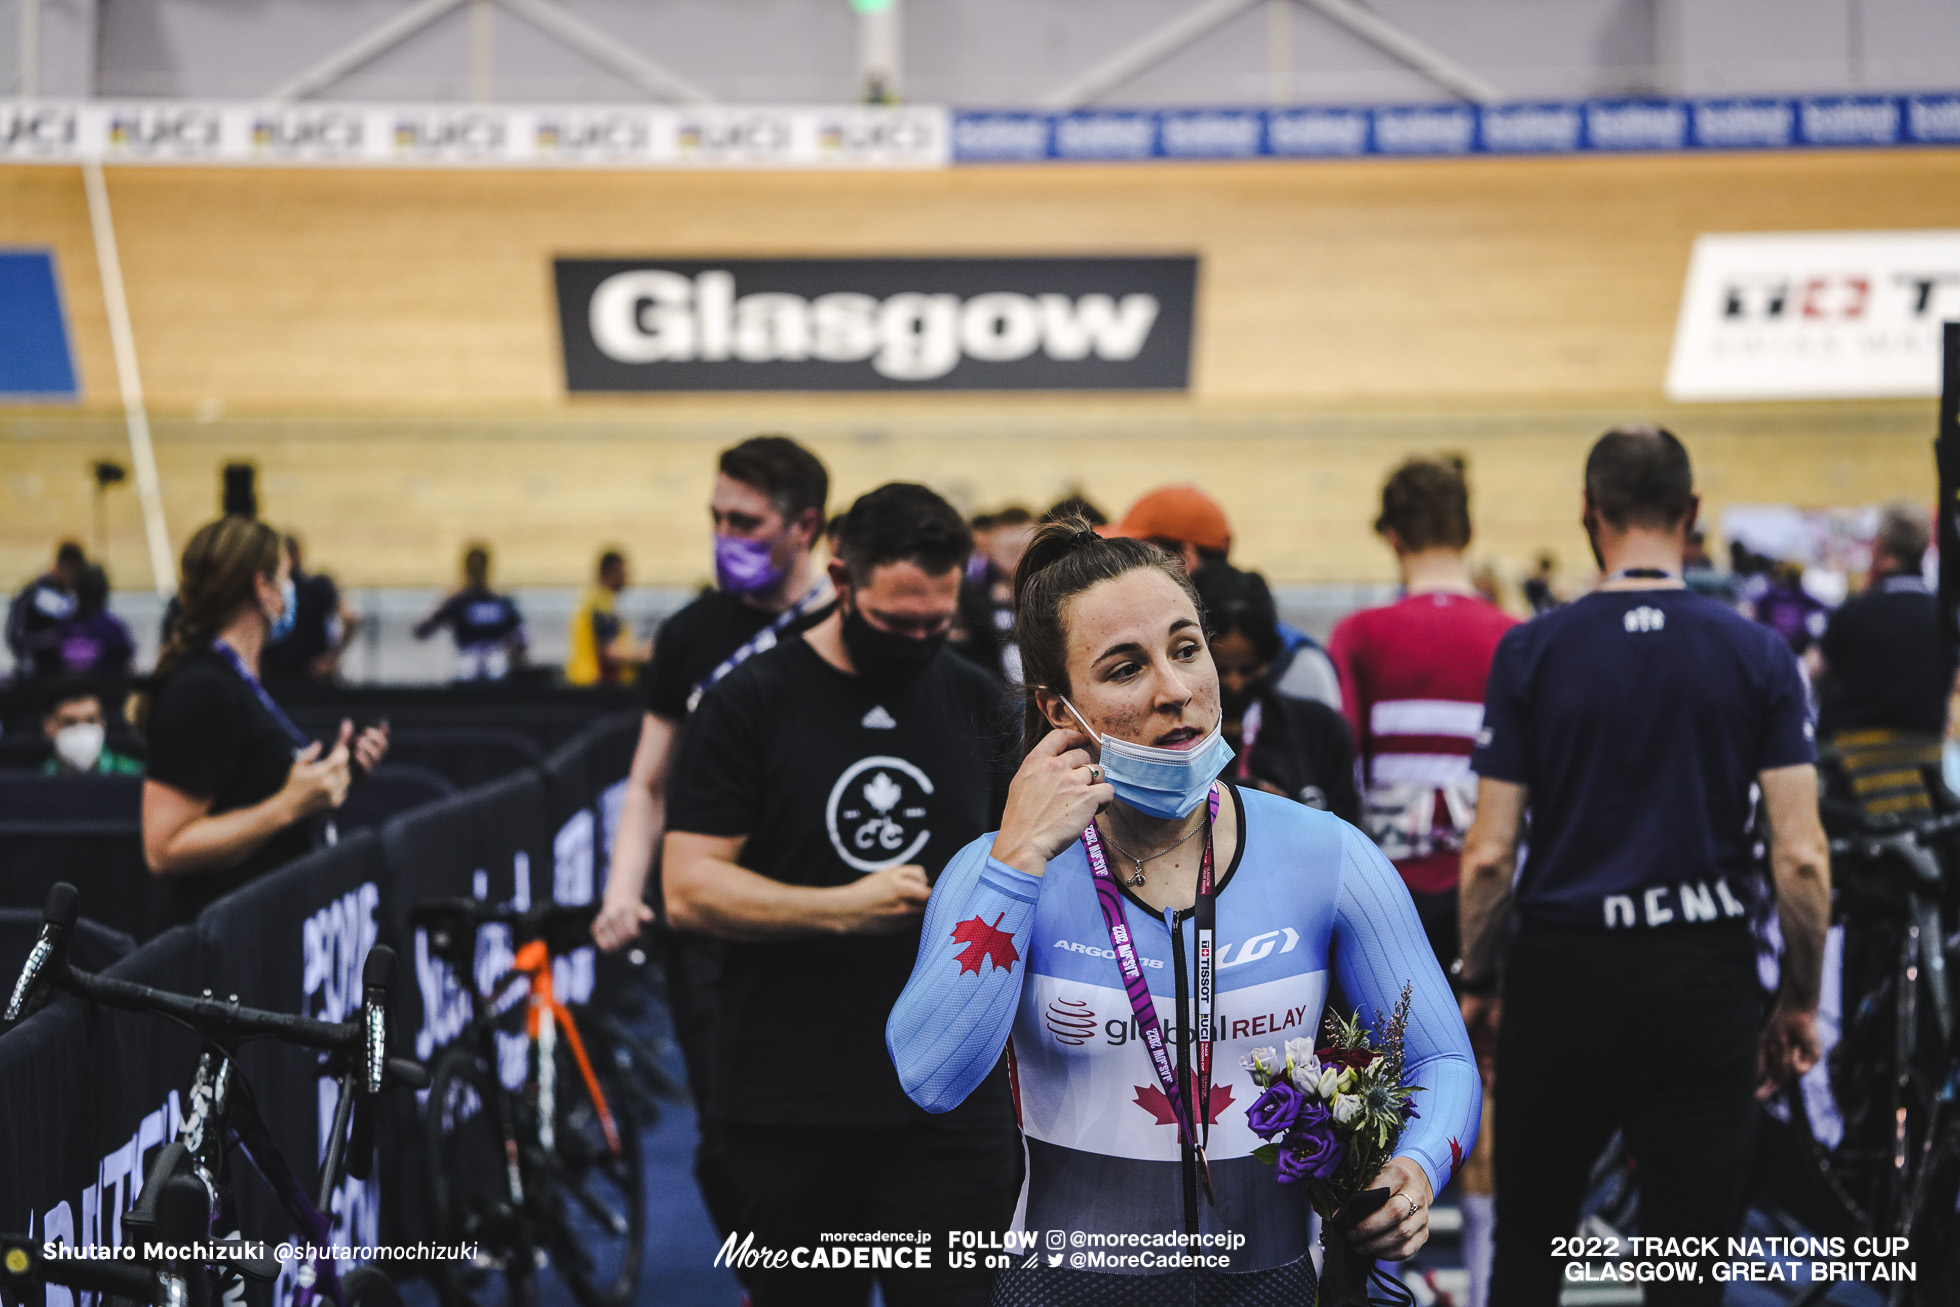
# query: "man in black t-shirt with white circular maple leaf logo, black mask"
[[818, 791]]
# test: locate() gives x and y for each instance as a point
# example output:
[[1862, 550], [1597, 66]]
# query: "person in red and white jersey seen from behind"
[[1412, 685]]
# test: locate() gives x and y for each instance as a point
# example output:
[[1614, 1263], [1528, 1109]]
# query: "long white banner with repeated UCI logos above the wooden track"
[[589, 136]]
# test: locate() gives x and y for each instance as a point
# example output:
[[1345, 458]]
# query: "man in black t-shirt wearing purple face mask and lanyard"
[[767, 508]]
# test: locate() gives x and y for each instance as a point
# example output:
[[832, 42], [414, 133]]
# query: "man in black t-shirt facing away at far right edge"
[[1885, 665]]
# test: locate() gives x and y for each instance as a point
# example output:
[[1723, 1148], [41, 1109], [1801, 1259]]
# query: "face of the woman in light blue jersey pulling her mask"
[[1138, 663]]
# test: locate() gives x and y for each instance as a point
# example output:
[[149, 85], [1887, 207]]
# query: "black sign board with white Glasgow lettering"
[[877, 324]]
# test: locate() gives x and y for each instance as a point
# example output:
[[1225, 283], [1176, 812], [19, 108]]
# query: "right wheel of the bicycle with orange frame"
[[595, 1194]]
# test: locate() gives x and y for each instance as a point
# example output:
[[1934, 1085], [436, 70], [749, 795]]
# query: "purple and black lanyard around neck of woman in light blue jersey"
[[1189, 1104]]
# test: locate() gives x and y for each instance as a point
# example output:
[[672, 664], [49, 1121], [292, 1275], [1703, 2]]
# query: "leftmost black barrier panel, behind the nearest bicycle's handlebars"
[[89, 1096]]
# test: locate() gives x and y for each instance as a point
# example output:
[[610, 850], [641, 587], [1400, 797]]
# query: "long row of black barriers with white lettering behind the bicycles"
[[87, 1092]]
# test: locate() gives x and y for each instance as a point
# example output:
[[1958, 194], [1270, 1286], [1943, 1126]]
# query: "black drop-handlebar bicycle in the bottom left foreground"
[[189, 1185]]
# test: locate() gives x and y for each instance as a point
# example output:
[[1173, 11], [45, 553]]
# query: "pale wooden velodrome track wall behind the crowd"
[[383, 346]]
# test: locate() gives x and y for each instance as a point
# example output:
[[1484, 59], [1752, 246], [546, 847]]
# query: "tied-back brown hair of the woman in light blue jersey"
[[1065, 559]]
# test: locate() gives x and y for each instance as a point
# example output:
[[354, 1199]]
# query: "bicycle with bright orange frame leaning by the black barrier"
[[550, 1173]]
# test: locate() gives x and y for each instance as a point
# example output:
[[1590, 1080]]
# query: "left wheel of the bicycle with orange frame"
[[469, 1188]]
